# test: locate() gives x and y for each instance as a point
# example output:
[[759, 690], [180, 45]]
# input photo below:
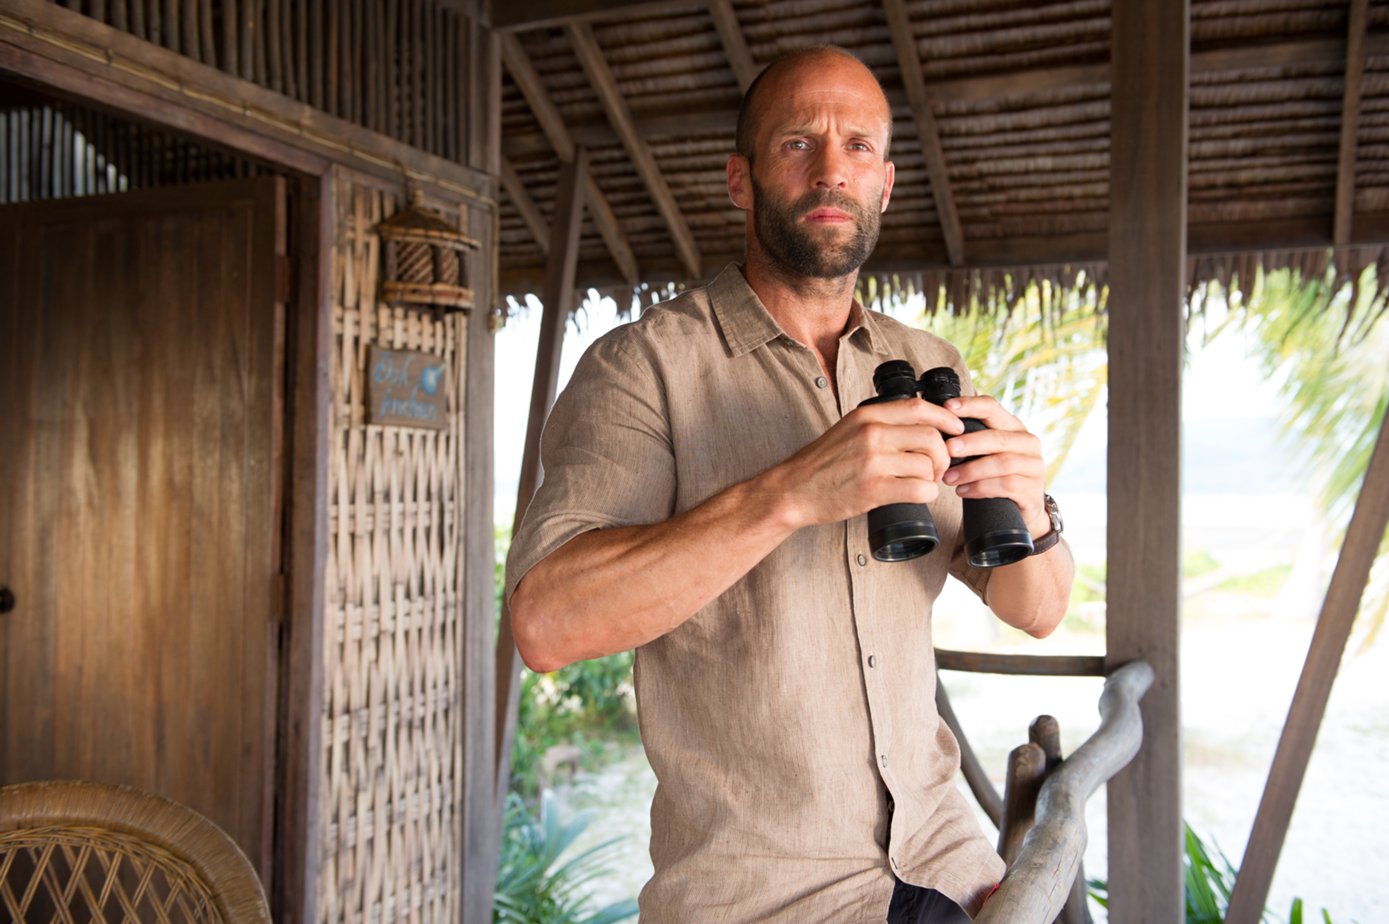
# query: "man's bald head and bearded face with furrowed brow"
[[819, 180]]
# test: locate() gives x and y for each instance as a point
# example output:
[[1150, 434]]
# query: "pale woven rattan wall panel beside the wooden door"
[[394, 644]]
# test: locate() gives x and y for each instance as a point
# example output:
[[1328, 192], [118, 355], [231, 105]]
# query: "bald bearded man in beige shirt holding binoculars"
[[706, 479]]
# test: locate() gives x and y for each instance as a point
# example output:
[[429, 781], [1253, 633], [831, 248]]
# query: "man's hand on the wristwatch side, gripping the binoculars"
[[1009, 461]]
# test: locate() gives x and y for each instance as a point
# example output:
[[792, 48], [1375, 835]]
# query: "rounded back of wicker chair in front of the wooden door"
[[92, 852]]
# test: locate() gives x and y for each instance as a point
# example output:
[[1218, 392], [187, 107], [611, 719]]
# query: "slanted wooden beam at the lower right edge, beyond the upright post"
[[1329, 645]]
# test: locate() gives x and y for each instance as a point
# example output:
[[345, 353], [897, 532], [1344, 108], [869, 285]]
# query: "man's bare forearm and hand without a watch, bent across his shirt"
[[612, 590]]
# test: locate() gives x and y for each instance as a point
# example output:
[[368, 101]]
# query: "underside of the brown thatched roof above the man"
[[1019, 94]]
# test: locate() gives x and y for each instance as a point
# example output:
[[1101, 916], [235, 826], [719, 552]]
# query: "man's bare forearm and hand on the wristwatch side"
[[1034, 594]]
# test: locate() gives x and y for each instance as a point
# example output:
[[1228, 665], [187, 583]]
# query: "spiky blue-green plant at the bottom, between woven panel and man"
[[540, 882]]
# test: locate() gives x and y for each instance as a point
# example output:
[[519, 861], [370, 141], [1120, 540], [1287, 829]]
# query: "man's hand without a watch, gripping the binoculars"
[[894, 452]]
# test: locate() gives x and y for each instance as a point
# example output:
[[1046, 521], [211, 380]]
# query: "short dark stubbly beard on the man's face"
[[805, 251]]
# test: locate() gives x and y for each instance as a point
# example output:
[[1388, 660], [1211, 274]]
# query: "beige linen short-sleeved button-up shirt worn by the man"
[[792, 722]]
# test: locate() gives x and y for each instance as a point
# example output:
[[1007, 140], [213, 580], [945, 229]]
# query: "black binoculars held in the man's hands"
[[994, 529]]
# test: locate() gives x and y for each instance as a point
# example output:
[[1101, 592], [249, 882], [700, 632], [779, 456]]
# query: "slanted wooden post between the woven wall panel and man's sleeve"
[[558, 299]]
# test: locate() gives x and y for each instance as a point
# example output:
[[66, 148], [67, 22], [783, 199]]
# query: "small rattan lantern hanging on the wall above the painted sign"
[[426, 261]]
